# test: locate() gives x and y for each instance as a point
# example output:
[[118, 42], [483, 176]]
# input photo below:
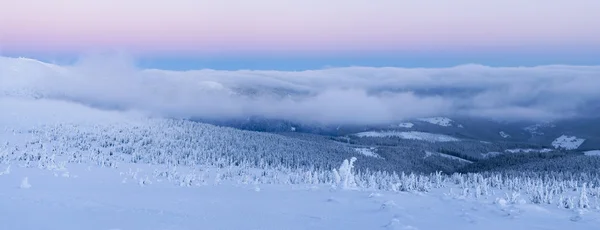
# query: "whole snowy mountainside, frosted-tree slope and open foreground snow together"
[[66, 166]]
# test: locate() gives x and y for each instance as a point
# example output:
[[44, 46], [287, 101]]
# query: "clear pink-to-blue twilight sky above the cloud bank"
[[307, 34]]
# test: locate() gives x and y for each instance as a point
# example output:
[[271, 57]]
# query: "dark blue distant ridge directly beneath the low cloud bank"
[[469, 128]]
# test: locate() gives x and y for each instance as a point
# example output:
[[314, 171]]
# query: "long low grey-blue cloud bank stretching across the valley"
[[356, 95]]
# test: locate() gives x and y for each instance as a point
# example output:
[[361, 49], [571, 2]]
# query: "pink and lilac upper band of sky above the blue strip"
[[161, 26]]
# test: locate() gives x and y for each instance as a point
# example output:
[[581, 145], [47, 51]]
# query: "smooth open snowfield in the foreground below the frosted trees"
[[97, 198]]
